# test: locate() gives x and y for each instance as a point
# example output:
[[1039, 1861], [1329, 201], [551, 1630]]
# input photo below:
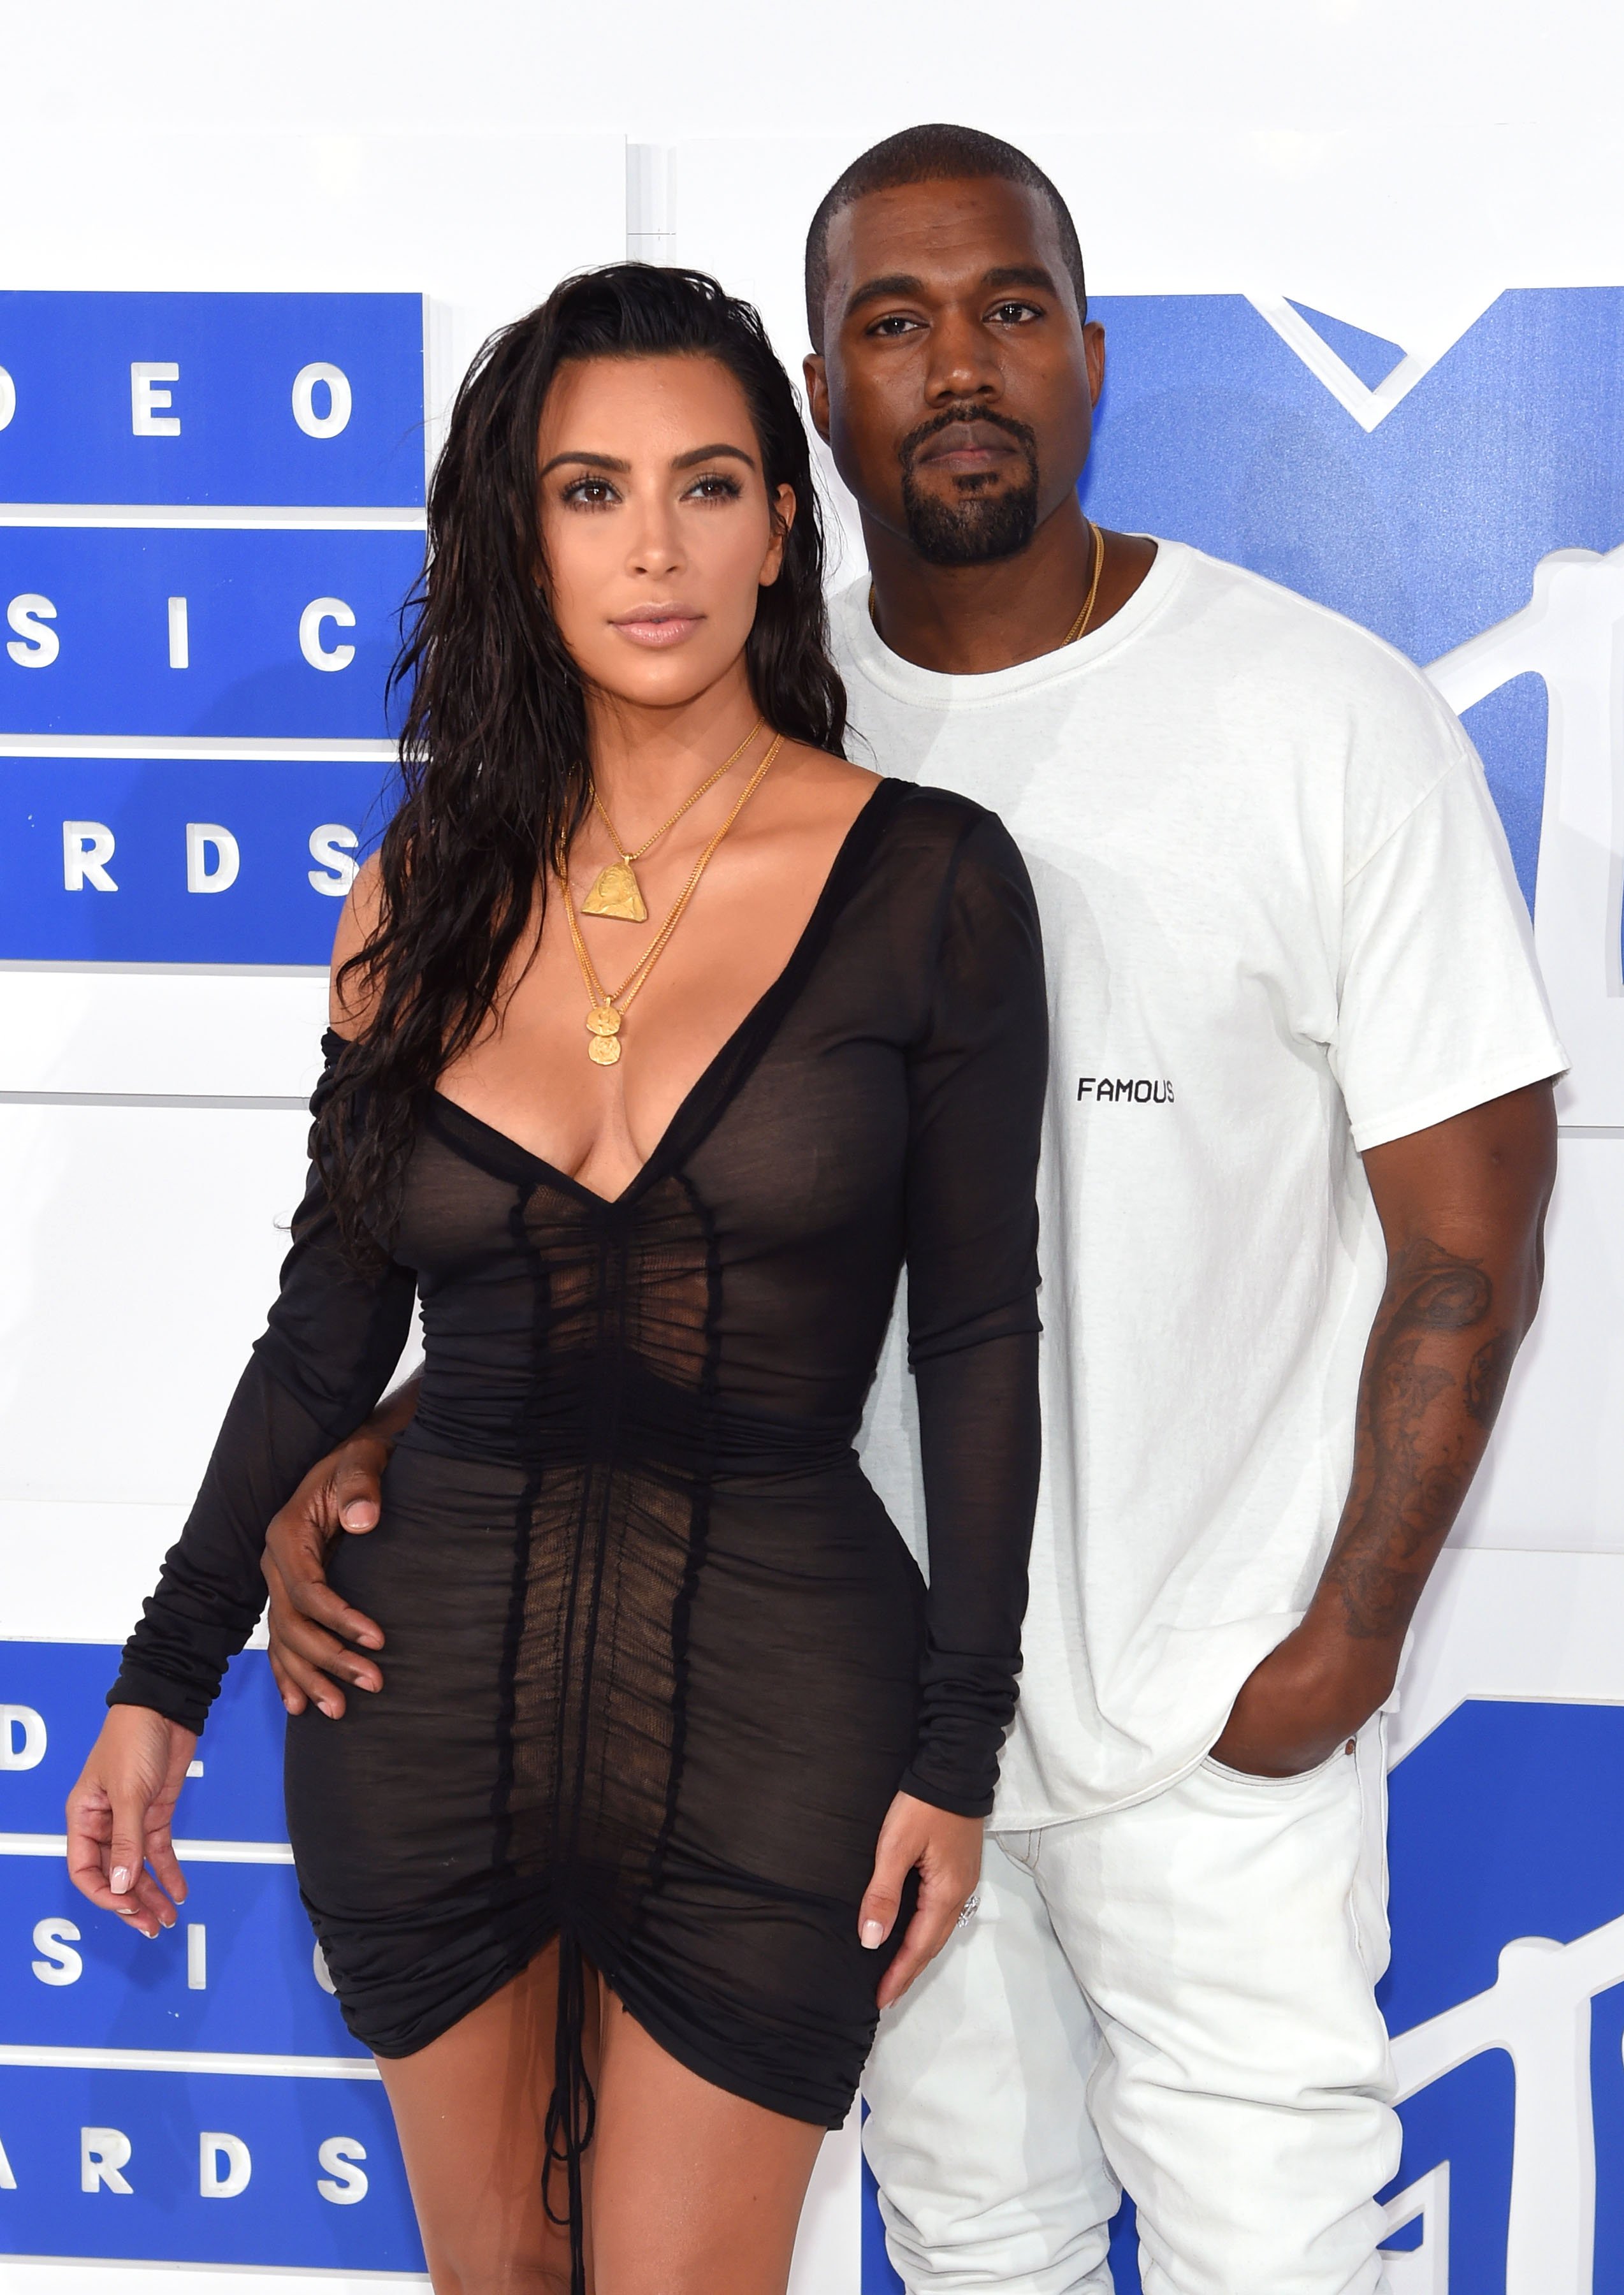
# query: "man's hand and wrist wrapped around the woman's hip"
[[315, 1637]]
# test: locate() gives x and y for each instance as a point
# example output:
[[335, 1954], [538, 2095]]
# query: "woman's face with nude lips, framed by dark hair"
[[655, 522]]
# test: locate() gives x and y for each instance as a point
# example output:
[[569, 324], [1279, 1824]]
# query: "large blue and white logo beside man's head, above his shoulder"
[[1471, 511]]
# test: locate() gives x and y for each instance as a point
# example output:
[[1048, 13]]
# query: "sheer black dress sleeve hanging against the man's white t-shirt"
[[976, 1114]]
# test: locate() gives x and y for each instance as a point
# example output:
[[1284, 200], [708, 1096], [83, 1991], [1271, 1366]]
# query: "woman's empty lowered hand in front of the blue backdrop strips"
[[120, 1819]]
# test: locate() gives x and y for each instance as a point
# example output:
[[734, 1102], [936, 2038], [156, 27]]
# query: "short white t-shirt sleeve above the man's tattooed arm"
[[1439, 997]]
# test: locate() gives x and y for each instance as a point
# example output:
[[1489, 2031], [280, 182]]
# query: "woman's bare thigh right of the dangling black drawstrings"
[[694, 2191]]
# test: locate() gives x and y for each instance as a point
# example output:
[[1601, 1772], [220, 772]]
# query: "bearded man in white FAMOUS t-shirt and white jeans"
[[1299, 1151]]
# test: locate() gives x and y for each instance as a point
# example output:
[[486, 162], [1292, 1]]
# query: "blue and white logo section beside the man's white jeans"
[[1506, 2000]]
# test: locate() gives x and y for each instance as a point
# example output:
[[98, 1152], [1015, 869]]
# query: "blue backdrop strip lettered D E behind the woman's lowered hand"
[[54, 1702]]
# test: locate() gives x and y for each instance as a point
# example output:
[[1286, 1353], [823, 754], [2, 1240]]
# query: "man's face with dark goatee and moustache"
[[958, 384]]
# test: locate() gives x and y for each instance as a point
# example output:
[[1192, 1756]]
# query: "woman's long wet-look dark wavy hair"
[[494, 749]]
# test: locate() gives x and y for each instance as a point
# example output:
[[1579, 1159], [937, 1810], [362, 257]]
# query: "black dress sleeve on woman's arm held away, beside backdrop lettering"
[[327, 1355]]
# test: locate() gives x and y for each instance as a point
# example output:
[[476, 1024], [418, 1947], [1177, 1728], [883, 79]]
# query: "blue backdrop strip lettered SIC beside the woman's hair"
[[97, 655]]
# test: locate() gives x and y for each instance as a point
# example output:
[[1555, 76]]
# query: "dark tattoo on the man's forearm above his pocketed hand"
[[1435, 1378]]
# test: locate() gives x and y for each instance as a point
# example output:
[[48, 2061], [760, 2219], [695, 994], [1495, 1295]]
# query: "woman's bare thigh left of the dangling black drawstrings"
[[471, 2117]]
